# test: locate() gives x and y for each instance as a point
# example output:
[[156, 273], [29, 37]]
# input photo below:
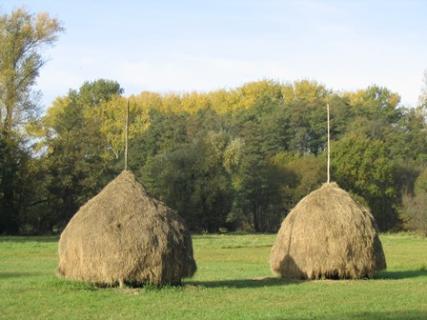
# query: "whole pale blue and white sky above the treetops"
[[203, 45]]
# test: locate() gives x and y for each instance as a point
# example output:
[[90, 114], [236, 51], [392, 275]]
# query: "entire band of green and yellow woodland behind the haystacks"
[[236, 159]]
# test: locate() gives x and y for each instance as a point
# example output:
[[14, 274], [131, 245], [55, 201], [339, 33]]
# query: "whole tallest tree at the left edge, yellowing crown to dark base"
[[22, 37]]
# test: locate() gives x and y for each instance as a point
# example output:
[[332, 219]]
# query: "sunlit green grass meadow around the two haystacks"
[[233, 282]]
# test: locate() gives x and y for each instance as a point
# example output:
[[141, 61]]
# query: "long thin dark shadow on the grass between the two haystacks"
[[242, 283]]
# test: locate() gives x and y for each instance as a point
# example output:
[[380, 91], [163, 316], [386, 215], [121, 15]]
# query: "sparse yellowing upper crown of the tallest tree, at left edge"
[[22, 36]]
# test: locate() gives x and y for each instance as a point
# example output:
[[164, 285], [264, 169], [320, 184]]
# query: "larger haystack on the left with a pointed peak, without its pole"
[[122, 235]]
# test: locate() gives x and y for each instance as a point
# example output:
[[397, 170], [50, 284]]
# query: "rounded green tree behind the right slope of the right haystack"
[[362, 165]]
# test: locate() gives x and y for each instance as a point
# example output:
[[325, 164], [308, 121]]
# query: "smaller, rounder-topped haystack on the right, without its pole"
[[328, 235]]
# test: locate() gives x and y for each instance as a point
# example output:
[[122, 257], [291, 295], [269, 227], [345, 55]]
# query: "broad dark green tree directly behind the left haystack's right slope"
[[185, 168]]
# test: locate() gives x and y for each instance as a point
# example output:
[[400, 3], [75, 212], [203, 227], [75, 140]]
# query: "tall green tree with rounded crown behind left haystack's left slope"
[[75, 161]]
